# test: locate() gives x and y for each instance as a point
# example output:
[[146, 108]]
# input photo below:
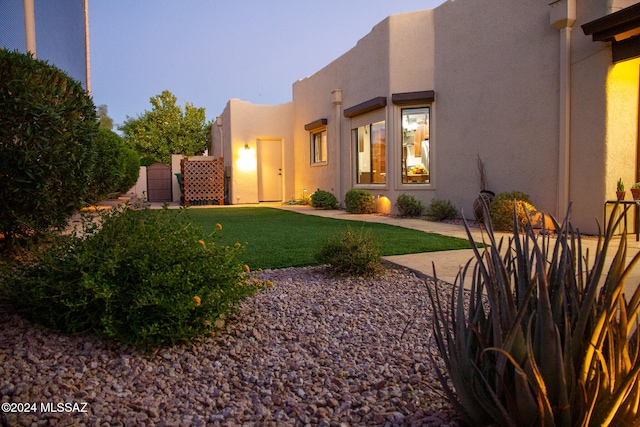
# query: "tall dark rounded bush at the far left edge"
[[48, 127]]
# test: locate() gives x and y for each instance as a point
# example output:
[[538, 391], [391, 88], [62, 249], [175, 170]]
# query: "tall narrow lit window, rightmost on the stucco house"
[[415, 145]]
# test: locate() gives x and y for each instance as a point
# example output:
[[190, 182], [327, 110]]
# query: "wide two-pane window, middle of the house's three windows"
[[371, 153]]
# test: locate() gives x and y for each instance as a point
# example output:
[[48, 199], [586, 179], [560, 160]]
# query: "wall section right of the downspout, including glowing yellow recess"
[[604, 119]]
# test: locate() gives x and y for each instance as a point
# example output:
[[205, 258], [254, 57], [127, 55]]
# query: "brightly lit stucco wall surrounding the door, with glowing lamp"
[[244, 123]]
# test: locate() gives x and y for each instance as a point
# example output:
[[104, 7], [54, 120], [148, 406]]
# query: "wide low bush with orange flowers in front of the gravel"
[[148, 278]]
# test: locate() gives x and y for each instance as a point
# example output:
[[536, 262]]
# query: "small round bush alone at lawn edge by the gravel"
[[351, 254]]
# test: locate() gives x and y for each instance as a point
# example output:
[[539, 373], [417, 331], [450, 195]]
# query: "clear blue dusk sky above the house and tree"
[[208, 51]]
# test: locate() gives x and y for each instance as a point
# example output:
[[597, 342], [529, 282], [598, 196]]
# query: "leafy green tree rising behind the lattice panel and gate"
[[167, 130]]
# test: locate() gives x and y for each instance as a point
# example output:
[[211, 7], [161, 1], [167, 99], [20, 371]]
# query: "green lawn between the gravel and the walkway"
[[277, 238]]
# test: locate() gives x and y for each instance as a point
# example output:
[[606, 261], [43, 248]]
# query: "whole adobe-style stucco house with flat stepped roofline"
[[545, 94]]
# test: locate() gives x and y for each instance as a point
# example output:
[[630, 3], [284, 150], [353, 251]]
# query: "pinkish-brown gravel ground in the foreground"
[[310, 350]]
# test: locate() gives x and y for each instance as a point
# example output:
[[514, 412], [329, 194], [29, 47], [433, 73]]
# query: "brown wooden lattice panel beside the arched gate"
[[202, 181]]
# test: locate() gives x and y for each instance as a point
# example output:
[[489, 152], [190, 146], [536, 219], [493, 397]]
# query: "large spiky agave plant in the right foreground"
[[542, 338]]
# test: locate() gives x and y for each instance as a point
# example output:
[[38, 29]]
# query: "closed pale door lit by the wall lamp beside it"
[[269, 153]]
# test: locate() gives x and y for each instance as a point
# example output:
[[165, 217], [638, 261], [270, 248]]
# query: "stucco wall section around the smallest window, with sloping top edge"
[[361, 74]]
